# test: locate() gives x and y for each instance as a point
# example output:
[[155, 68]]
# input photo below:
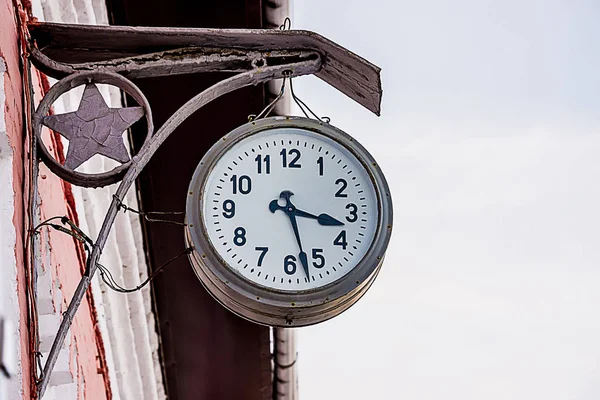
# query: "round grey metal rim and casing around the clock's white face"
[[270, 306]]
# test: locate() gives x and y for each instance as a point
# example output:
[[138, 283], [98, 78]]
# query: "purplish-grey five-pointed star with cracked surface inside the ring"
[[94, 128]]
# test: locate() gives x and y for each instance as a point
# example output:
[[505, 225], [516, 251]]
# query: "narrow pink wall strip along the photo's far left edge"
[[13, 305]]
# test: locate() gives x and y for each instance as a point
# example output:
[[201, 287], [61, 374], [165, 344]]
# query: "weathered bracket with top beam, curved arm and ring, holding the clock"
[[84, 54]]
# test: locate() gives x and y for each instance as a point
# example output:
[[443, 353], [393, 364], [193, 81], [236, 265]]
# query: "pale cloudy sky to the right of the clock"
[[490, 139]]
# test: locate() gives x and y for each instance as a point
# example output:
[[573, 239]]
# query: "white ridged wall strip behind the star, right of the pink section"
[[127, 322]]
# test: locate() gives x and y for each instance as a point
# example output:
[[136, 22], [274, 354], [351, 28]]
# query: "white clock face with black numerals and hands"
[[290, 209]]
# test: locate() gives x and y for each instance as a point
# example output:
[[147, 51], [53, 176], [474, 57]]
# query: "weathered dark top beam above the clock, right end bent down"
[[72, 44]]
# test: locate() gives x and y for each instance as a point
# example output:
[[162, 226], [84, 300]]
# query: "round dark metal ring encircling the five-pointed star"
[[67, 84]]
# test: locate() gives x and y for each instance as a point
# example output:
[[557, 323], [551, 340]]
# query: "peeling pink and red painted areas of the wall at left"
[[63, 260]]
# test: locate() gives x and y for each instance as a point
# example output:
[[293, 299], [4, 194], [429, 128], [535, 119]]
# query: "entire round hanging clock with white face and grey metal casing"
[[289, 219]]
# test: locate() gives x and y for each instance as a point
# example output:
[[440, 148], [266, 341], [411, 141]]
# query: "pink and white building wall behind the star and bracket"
[[111, 351]]
